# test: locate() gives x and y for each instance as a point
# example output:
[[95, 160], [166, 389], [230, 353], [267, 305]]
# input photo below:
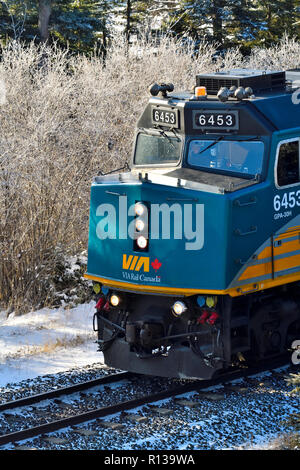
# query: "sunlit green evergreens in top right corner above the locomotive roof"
[[238, 22]]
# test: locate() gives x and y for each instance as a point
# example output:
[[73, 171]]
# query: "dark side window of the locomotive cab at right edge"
[[288, 164]]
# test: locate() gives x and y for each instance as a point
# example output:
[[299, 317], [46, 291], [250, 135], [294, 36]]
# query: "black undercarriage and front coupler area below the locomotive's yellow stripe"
[[143, 334]]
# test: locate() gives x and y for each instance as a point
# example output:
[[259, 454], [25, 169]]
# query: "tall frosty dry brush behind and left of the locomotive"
[[65, 119]]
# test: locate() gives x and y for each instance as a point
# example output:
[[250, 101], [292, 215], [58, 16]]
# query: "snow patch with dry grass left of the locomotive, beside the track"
[[46, 341]]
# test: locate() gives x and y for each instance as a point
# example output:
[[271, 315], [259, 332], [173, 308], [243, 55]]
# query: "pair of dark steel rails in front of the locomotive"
[[123, 406]]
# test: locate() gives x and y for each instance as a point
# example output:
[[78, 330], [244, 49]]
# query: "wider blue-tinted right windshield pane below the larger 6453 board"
[[243, 157]]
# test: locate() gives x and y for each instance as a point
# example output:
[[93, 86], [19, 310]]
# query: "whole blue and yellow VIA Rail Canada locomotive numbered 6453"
[[195, 251]]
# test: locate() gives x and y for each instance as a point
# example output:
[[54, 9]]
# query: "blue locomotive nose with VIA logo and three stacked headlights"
[[148, 237]]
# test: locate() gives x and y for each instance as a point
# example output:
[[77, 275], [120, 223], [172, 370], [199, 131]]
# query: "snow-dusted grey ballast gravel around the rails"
[[250, 413]]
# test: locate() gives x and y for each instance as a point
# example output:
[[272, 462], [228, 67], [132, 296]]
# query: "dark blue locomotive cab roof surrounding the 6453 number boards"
[[273, 106]]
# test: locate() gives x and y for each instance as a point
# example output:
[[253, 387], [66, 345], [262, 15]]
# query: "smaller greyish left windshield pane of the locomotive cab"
[[157, 149]]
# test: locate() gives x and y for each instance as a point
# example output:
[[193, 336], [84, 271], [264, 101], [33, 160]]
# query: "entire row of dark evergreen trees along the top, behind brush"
[[83, 25]]
